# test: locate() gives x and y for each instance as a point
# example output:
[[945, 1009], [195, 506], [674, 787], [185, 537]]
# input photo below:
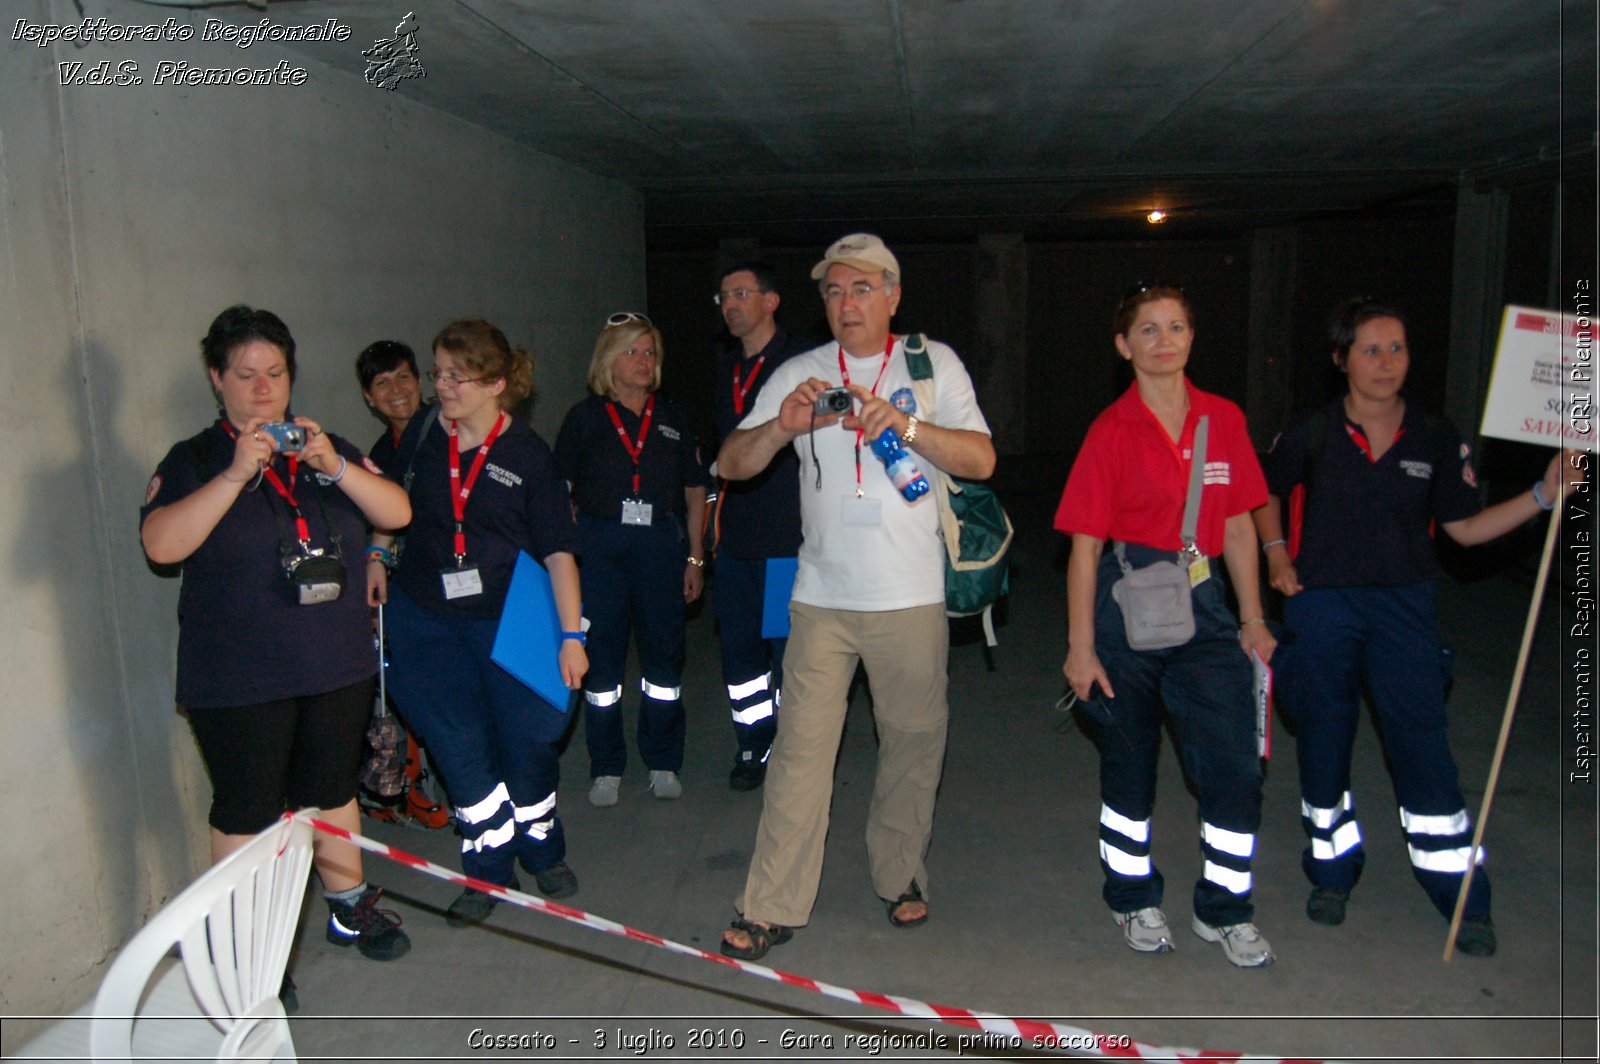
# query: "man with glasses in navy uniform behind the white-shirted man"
[[753, 521]]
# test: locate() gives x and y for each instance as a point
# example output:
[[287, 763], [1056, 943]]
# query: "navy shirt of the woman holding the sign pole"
[[1370, 524]]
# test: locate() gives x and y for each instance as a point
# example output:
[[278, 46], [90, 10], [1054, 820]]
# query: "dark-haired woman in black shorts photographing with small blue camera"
[[278, 692]]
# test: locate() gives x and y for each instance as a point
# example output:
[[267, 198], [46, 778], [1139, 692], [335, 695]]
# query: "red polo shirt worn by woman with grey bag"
[[1130, 479]]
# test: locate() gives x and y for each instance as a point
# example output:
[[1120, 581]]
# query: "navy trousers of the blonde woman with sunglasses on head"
[[634, 578]]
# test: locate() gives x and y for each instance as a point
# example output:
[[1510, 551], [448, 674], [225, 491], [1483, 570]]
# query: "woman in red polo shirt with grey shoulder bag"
[[1129, 486]]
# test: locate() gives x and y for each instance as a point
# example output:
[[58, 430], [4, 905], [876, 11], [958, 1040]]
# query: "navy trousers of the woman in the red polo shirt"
[[1206, 687]]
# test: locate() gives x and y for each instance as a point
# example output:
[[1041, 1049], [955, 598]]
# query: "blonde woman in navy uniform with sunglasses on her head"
[[639, 492]]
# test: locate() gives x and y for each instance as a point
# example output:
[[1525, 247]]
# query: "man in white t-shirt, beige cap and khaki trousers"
[[871, 591]]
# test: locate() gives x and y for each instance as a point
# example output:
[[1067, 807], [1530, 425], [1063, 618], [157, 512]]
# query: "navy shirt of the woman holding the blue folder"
[[518, 503]]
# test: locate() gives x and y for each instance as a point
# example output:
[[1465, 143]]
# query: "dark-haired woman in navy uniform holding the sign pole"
[[1367, 479]]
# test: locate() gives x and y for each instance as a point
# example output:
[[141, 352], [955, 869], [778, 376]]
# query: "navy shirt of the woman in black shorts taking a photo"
[[242, 636]]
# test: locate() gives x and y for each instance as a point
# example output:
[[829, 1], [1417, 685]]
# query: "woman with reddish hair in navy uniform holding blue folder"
[[486, 489]]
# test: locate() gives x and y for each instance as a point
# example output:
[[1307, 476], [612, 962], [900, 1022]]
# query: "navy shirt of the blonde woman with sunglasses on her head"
[[593, 458]]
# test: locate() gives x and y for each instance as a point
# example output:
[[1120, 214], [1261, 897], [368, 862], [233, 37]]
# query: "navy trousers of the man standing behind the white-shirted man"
[[751, 666]]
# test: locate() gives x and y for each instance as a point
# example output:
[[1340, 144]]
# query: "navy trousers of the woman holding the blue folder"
[[490, 737]]
